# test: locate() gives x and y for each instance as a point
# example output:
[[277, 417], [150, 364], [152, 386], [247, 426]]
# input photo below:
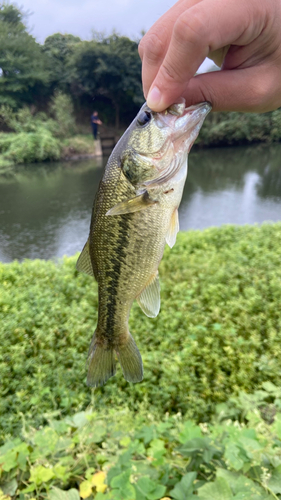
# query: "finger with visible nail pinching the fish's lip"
[[202, 28]]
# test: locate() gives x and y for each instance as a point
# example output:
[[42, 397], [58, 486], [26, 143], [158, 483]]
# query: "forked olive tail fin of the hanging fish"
[[102, 364]]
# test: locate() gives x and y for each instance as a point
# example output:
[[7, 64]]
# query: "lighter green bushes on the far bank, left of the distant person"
[[39, 137]]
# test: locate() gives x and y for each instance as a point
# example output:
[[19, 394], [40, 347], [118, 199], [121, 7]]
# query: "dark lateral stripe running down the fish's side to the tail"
[[114, 274]]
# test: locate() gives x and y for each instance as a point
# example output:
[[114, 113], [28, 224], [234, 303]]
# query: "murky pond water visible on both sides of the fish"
[[45, 209]]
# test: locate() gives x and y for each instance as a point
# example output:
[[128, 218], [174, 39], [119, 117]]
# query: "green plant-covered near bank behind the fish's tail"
[[205, 421]]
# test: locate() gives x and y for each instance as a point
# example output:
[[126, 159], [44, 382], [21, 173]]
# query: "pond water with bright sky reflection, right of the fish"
[[232, 185]]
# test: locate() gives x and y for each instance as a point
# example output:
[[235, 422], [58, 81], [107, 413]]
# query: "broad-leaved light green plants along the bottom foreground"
[[118, 456]]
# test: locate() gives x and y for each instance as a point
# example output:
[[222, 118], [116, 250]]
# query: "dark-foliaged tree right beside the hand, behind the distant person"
[[109, 67]]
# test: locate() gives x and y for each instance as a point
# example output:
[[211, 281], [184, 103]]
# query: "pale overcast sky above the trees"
[[81, 17]]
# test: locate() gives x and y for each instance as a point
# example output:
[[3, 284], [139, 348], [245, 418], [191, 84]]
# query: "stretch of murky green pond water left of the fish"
[[46, 209]]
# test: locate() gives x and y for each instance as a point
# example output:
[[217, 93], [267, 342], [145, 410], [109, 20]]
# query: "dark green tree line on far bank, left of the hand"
[[103, 73]]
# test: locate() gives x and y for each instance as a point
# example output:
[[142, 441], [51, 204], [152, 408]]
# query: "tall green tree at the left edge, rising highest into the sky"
[[22, 72]]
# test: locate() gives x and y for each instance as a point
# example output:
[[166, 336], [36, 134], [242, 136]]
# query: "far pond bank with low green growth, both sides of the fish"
[[39, 137]]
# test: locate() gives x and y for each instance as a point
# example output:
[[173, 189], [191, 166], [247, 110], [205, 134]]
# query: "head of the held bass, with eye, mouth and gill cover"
[[158, 143]]
